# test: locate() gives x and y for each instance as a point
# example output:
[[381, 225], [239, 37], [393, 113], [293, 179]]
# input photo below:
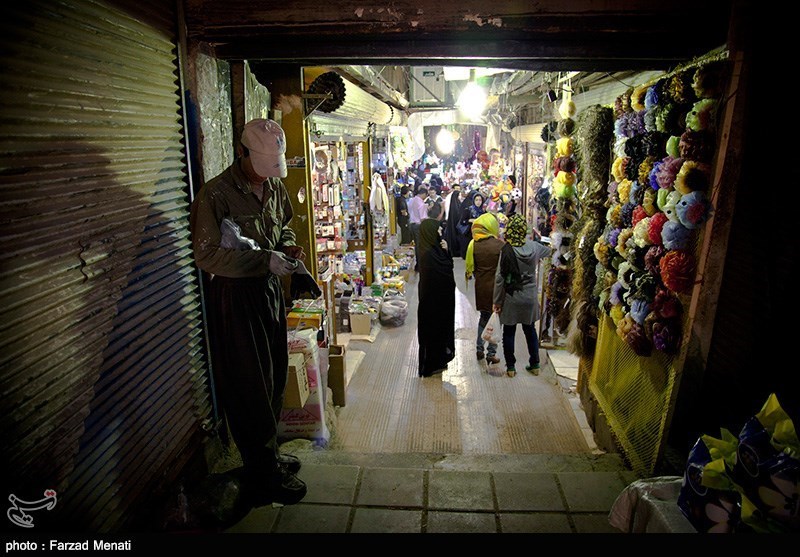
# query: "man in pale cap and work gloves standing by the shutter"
[[240, 235]]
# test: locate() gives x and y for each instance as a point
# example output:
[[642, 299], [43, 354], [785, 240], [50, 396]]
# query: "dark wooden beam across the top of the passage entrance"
[[579, 35]]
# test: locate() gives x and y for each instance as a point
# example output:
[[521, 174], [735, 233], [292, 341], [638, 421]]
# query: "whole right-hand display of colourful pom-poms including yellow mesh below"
[[658, 201]]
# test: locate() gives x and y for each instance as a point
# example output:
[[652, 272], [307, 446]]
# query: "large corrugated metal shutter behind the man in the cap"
[[103, 384]]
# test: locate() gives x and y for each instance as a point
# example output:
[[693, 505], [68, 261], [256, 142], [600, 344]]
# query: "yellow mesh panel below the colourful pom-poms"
[[634, 393]]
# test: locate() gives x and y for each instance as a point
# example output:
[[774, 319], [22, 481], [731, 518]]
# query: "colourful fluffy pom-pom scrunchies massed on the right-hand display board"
[[665, 140]]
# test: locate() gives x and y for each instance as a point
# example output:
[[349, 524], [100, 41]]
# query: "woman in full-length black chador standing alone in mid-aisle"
[[437, 302]]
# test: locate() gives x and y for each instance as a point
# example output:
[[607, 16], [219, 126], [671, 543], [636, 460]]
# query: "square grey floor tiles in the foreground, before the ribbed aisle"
[[356, 499]]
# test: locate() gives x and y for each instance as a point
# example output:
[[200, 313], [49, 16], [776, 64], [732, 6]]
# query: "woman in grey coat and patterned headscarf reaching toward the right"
[[515, 296]]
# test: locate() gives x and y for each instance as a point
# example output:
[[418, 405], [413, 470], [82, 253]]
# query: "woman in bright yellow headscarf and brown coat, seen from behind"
[[483, 253]]
